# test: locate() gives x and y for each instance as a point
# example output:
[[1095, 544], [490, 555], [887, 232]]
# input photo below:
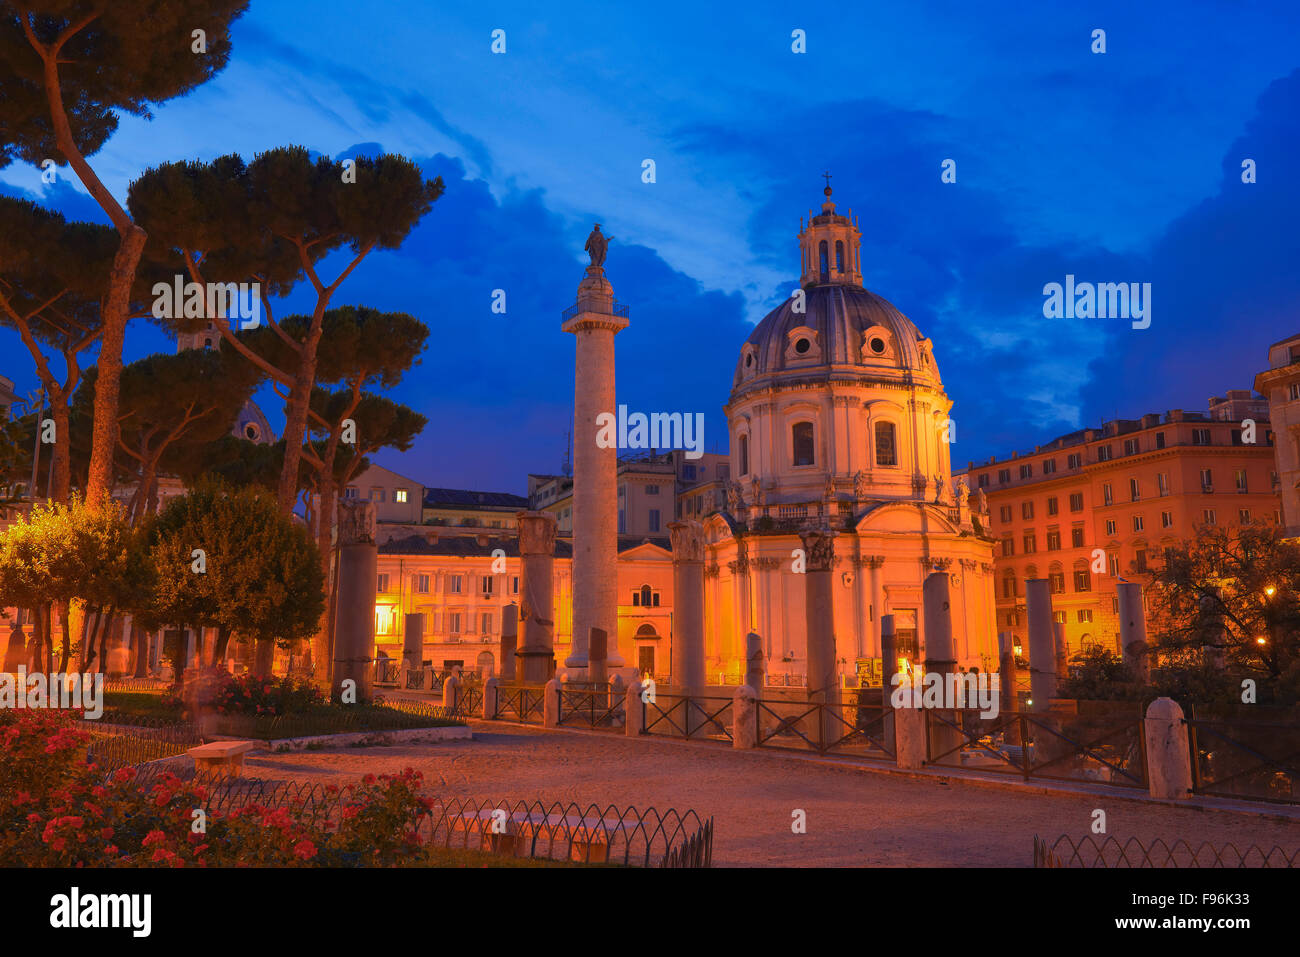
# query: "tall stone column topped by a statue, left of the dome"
[[595, 321]]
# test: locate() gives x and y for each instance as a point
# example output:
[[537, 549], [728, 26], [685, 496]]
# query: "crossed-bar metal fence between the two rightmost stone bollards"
[[1106, 750]]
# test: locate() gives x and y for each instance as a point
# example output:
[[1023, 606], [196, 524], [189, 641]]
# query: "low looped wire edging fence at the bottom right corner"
[[1110, 852]]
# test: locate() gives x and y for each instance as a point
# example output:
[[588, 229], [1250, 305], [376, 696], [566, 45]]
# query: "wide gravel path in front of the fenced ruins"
[[855, 819]]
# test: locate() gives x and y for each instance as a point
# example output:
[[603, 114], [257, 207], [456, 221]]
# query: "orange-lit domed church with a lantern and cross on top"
[[839, 421]]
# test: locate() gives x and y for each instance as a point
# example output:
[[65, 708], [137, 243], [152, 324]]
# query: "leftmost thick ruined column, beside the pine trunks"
[[354, 617]]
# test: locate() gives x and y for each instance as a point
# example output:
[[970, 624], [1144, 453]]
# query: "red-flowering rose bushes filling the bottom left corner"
[[57, 811]]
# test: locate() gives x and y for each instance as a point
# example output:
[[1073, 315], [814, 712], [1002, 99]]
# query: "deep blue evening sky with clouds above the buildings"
[[1116, 167]]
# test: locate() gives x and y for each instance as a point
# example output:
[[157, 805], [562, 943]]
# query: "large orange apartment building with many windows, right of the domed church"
[[1124, 493]]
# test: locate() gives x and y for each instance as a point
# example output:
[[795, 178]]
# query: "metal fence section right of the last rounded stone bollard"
[[1246, 760]]
